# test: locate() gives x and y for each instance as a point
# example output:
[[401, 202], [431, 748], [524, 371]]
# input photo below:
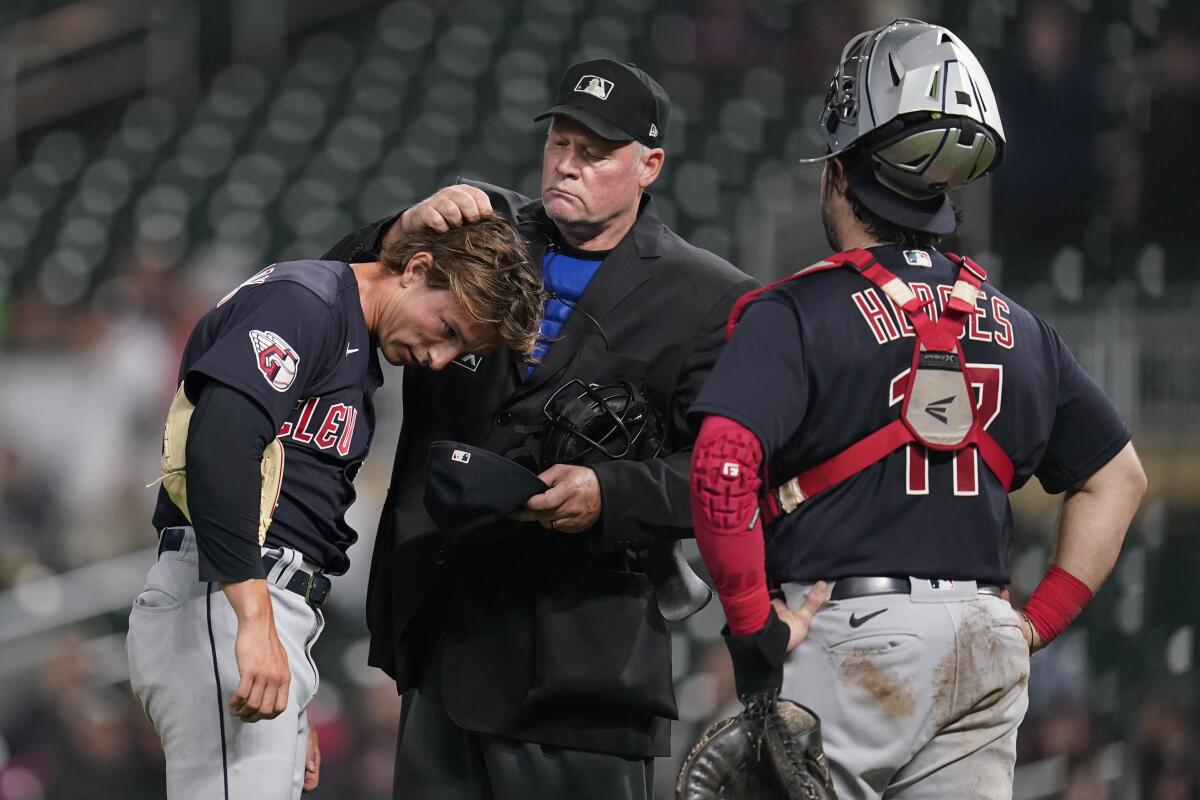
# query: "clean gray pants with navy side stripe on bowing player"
[[183, 670]]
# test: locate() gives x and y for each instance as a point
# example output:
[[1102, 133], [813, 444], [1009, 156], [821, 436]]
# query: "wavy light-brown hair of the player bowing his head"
[[487, 268]]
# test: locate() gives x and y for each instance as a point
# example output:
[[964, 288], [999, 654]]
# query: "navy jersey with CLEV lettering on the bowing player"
[[293, 339]]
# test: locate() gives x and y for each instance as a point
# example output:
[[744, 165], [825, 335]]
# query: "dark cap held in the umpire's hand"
[[467, 488]]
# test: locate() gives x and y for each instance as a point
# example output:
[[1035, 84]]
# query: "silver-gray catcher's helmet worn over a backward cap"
[[915, 106]]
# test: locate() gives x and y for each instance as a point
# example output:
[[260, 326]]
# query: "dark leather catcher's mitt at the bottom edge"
[[759, 755]]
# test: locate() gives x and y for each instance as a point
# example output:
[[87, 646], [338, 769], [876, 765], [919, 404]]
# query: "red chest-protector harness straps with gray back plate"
[[939, 408]]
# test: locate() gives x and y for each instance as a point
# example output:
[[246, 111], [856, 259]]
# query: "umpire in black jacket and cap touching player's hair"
[[533, 658]]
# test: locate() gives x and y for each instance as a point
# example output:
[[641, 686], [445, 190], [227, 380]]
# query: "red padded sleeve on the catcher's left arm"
[[725, 480]]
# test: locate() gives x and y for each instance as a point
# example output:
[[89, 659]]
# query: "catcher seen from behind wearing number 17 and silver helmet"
[[881, 405]]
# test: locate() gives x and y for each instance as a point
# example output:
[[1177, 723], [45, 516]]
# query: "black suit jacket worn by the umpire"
[[545, 636]]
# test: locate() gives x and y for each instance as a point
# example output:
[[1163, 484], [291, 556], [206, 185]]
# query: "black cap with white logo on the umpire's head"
[[616, 101]]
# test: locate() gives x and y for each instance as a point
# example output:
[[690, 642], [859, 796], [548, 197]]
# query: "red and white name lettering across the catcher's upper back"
[[889, 323]]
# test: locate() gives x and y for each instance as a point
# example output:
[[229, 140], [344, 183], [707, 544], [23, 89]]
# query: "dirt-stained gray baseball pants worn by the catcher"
[[921, 697]]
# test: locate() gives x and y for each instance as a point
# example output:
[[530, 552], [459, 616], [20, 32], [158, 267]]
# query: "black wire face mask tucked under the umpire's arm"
[[590, 424]]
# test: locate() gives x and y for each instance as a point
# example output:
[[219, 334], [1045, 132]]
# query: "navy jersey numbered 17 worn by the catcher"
[[815, 365]]
